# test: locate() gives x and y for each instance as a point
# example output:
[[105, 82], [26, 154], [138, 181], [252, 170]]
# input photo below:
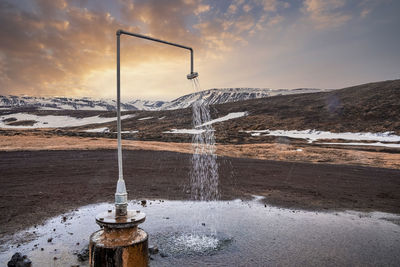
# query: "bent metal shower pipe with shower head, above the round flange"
[[121, 196]]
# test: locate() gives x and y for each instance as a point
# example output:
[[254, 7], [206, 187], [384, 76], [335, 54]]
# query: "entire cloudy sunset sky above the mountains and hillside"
[[68, 48]]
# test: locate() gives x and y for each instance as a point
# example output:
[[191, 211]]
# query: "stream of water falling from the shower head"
[[204, 174]]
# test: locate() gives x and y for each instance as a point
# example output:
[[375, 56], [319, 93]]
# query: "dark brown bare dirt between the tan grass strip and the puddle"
[[36, 185]]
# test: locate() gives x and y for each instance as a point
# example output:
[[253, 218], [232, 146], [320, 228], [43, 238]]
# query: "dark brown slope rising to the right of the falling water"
[[372, 107]]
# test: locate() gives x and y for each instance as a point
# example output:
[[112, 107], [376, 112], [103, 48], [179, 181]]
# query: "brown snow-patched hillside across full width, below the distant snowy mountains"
[[373, 107]]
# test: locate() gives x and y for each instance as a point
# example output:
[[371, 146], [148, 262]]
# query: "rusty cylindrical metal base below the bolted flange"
[[117, 247]]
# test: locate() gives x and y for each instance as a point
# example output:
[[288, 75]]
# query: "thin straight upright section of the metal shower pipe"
[[120, 174]]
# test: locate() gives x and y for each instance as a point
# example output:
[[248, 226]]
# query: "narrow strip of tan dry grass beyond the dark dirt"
[[294, 152]]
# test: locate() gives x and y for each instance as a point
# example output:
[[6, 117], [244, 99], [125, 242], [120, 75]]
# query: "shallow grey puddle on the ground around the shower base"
[[222, 233]]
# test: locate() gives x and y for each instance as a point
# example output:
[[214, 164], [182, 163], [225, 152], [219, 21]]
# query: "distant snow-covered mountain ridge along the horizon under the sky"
[[211, 96]]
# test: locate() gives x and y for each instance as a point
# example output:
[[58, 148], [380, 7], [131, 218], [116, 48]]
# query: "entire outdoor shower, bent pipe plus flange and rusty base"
[[120, 242]]
